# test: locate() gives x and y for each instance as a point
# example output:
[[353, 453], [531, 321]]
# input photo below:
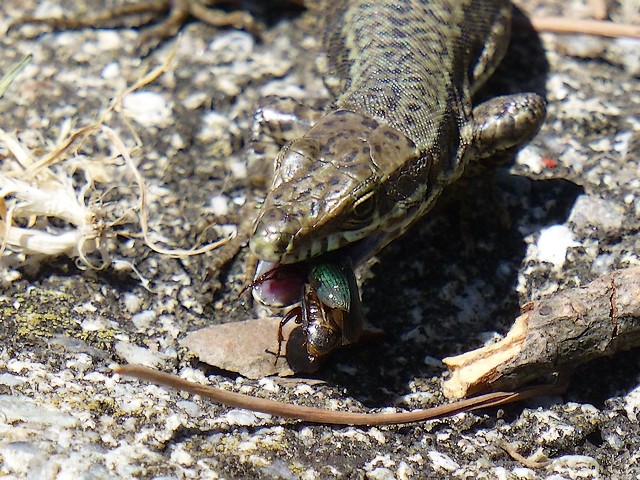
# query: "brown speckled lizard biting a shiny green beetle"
[[401, 128]]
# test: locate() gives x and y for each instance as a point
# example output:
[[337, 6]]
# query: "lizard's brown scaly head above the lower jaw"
[[346, 182]]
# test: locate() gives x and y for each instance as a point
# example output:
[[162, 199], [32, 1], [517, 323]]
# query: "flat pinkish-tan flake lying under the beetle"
[[249, 347]]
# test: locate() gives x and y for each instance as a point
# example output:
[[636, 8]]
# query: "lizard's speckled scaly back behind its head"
[[411, 63]]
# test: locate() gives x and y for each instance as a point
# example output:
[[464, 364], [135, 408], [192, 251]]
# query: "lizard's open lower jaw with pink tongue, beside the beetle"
[[280, 285]]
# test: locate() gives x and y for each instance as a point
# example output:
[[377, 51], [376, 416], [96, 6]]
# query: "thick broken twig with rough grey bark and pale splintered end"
[[555, 334]]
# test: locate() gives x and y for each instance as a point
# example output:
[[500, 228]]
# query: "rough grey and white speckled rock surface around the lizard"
[[571, 196]]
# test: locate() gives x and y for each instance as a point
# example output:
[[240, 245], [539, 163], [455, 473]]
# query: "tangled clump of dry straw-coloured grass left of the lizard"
[[68, 203]]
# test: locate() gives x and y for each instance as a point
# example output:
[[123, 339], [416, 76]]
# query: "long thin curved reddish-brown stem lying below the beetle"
[[330, 417]]
